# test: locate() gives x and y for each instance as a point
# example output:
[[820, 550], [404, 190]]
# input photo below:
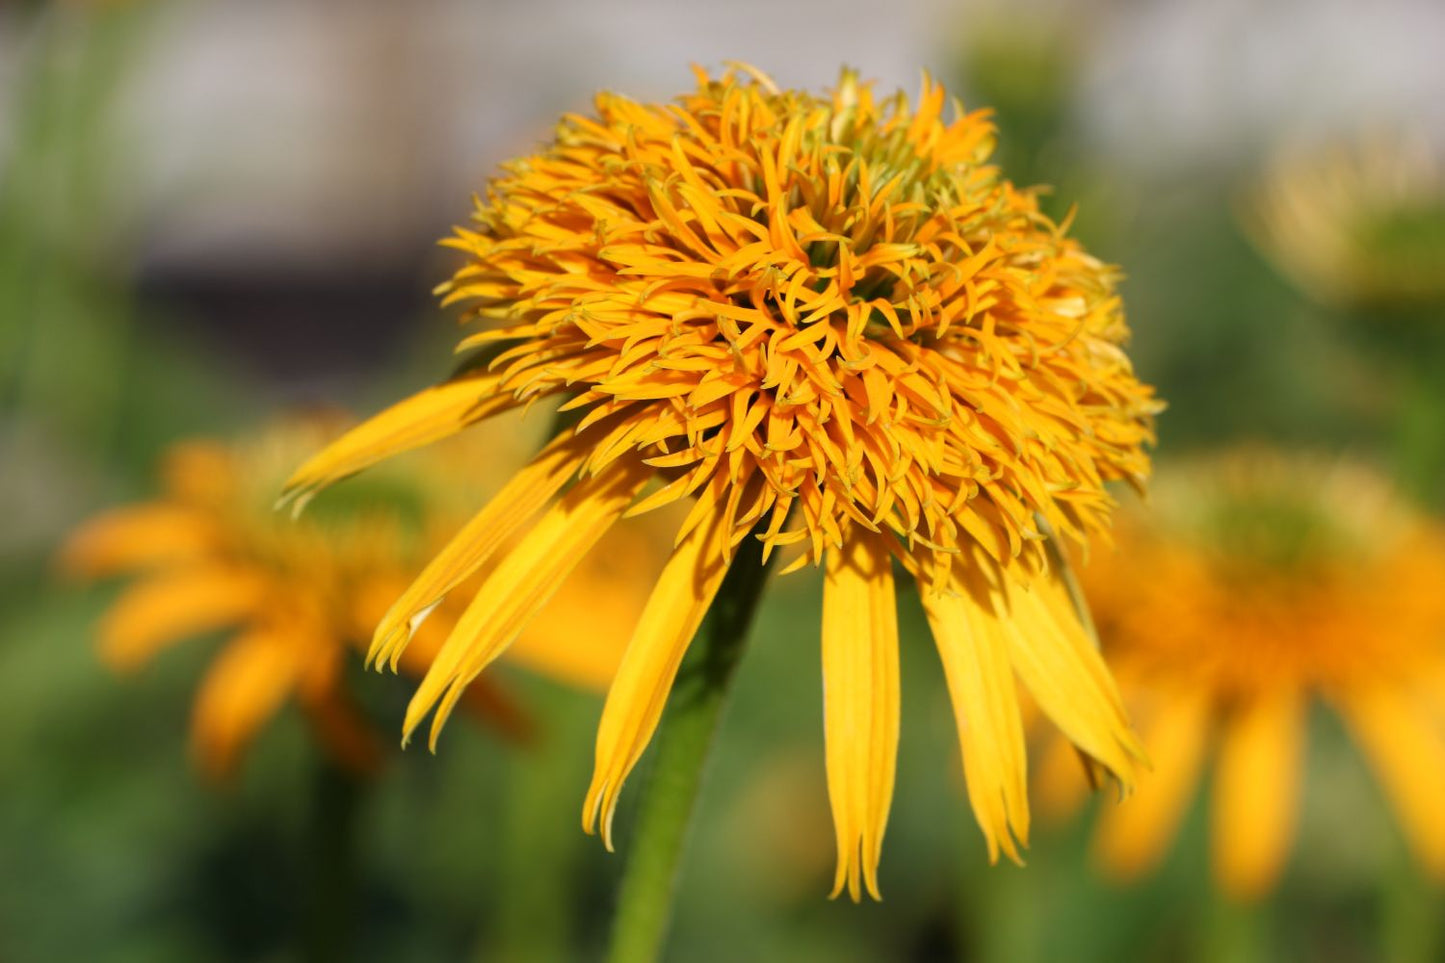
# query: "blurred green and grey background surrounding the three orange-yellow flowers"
[[212, 212]]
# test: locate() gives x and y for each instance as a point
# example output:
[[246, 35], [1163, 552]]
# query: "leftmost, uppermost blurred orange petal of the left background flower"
[[138, 537]]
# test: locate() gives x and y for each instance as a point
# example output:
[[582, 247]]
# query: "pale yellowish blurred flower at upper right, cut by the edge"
[[1356, 223]]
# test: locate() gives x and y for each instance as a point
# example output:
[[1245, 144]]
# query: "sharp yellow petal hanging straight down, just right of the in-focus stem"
[[860, 670]]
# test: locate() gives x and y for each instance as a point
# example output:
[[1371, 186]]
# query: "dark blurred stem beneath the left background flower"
[[333, 871]]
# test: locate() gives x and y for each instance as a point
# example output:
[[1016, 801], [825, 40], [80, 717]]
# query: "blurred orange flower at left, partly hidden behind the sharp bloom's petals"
[[303, 596]]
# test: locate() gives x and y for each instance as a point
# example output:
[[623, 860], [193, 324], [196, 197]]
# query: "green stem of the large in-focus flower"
[[661, 829]]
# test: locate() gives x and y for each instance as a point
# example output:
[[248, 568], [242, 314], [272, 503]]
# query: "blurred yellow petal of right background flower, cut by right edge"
[[1407, 750]]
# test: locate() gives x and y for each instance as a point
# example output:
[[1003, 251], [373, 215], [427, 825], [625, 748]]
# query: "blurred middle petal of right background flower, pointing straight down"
[[1256, 790]]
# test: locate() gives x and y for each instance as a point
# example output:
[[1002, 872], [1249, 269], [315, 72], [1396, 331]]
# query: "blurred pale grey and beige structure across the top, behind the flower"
[[316, 134]]
